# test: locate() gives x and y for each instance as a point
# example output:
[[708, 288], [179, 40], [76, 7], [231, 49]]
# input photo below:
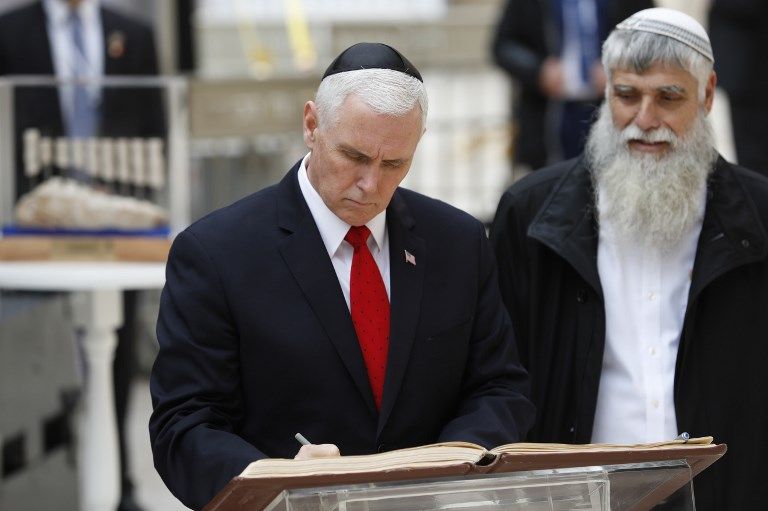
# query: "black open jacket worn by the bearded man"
[[545, 238]]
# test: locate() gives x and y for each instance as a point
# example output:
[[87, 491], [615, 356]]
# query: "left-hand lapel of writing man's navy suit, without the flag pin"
[[317, 280]]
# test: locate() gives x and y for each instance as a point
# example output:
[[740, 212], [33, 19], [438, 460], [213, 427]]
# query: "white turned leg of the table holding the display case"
[[98, 313]]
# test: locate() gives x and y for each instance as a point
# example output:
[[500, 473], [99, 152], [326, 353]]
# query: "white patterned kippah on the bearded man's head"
[[671, 23]]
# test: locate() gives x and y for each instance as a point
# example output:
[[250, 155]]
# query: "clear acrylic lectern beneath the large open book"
[[637, 486]]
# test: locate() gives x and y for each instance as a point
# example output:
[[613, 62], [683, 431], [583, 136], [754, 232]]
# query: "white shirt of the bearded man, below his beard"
[[646, 294]]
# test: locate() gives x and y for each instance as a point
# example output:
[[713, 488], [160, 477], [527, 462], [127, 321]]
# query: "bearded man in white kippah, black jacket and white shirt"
[[636, 275]]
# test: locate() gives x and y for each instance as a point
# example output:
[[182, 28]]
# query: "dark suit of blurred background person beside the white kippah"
[[527, 33]]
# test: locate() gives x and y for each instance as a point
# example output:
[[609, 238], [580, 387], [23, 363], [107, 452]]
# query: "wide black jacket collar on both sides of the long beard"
[[732, 233]]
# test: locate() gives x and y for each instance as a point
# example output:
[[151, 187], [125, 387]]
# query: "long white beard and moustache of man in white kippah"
[[646, 198]]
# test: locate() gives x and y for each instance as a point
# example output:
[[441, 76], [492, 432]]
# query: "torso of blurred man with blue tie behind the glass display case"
[[79, 40]]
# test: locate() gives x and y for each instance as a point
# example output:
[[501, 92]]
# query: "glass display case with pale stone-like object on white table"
[[127, 177]]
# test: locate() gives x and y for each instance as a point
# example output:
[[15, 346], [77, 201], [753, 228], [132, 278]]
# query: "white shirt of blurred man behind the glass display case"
[[64, 52]]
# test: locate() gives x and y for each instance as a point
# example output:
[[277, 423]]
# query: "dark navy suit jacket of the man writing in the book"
[[257, 342]]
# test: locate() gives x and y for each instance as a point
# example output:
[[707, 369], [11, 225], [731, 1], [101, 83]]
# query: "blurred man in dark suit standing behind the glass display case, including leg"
[[117, 45]]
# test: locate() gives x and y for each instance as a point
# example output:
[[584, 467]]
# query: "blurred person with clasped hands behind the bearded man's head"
[[551, 50]]
